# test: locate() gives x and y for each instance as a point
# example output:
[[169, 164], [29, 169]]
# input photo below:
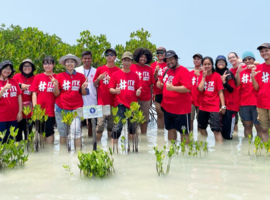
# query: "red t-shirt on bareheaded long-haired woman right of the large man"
[[210, 101]]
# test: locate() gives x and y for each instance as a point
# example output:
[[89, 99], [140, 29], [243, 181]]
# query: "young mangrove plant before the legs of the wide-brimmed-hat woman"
[[67, 118]]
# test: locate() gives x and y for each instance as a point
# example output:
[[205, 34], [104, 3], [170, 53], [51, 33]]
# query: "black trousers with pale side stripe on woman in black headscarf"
[[228, 123]]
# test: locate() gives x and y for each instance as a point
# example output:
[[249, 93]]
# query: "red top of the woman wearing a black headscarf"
[[232, 99]]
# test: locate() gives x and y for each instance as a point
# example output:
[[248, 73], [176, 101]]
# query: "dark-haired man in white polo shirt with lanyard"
[[89, 72]]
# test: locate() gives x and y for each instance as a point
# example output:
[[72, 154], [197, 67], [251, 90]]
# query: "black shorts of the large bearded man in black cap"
[[177, 122]]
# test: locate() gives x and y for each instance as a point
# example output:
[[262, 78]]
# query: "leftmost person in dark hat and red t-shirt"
[[10, 100]]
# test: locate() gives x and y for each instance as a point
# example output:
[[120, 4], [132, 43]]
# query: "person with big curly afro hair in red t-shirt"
[[142, 57]]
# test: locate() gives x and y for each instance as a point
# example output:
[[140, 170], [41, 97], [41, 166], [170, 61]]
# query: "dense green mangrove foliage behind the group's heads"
[[17, 44]]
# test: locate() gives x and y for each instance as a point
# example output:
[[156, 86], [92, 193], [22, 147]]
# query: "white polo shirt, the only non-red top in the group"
[[91, 99]]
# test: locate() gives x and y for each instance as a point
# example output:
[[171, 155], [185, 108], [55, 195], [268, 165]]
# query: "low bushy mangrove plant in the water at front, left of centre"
[[96, 163]]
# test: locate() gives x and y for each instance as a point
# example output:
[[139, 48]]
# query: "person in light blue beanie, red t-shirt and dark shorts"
[[248, 95]]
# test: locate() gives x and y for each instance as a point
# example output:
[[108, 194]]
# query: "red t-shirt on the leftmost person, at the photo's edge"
[[9, 101]]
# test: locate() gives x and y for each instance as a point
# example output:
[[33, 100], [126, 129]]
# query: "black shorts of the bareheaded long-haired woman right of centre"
[[213, 118]]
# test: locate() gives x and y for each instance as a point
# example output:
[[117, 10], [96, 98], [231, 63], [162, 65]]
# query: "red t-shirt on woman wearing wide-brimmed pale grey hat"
[[70, 97]]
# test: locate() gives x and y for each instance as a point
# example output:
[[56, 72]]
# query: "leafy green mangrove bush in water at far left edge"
[[12, 152]]
